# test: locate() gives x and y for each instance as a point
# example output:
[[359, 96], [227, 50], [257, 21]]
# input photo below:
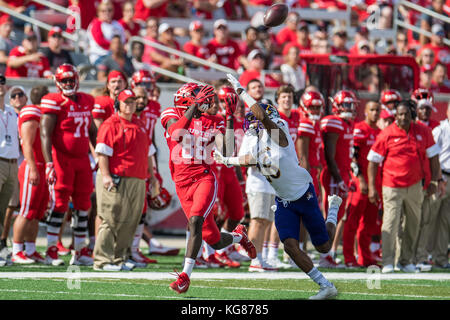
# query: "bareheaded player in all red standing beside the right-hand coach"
[[361, 214]]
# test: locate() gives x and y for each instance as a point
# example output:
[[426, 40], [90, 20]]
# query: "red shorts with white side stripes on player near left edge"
[[33, 199]]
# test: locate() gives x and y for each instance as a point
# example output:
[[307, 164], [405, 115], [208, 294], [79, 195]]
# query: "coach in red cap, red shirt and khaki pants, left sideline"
[[122, 149]]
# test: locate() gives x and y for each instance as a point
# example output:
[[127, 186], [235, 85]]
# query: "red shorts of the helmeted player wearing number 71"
[[73, 179]]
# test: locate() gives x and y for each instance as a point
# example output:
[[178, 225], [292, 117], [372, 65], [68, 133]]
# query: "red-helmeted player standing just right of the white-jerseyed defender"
[[337, 132]]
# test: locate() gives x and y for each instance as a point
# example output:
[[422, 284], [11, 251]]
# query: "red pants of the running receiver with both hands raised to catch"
[[197, 199]]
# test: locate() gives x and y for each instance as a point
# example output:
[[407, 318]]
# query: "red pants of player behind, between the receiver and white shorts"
[[230, 194]]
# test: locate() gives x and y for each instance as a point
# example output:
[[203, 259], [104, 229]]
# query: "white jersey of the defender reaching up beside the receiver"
[[280, 165]]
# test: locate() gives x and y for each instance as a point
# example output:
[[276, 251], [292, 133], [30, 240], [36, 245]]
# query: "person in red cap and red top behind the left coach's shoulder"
[[104, 105]]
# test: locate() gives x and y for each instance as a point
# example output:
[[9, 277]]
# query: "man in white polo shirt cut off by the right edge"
[[441, 135]]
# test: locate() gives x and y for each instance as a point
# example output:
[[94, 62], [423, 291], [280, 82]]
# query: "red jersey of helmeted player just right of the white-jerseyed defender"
[[344, 145]]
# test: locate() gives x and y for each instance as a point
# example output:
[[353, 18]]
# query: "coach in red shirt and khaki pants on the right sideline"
[[402, 148]]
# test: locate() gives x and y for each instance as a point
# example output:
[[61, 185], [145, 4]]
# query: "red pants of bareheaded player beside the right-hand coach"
[[361, 221]]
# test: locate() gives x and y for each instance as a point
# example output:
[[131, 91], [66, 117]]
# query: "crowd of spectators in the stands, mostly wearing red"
[[110, 25]]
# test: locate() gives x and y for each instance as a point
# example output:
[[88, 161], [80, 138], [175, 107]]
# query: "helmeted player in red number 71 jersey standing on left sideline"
[[66, 130]]
